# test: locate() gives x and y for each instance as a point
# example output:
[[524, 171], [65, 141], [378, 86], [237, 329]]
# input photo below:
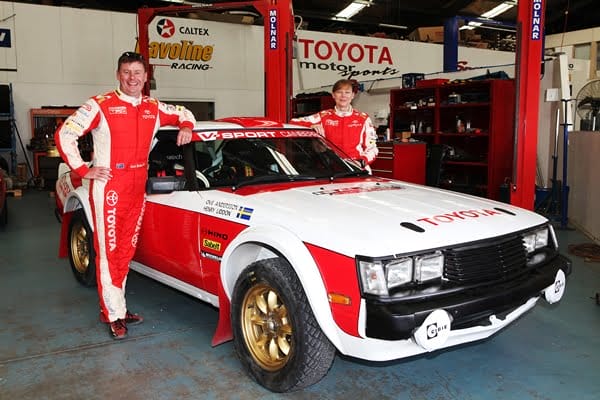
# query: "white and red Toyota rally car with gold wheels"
[[305, 254]]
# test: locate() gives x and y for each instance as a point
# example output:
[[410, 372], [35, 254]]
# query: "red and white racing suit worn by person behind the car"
[[351, 131]]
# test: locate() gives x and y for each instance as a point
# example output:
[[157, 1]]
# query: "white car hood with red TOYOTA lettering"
[[380, 217]]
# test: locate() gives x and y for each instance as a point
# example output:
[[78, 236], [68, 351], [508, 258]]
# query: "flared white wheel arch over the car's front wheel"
[[261, 242]]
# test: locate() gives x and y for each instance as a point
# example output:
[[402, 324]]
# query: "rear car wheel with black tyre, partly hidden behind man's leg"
[[81, 249]]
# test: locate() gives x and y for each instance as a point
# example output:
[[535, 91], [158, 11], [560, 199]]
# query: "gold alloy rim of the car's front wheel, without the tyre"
[[266, 327]]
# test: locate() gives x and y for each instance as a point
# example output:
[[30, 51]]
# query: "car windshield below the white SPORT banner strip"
[[244, 161]]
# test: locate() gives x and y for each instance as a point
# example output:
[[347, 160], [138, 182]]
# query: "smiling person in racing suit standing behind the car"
[[349, 129]]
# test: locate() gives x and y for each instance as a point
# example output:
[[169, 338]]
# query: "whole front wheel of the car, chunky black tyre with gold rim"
[[276, 335]]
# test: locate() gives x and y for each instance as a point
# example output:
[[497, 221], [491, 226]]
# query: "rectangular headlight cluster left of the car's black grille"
[[378, 276]]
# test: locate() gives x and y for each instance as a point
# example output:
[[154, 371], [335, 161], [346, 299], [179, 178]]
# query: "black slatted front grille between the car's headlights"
[[488, 262]]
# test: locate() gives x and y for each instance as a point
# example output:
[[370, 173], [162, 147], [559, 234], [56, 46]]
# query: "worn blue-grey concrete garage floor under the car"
[[52, 345]]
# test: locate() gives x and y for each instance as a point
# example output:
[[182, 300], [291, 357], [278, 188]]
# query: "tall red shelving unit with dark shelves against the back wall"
[[473, 123]]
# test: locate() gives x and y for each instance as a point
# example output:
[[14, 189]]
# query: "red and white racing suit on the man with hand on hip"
[[123, 128]]
